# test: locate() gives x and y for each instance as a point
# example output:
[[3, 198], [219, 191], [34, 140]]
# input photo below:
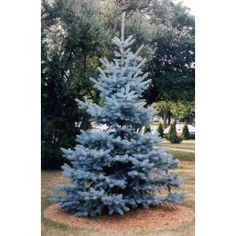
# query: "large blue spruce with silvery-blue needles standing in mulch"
[[120, 168]]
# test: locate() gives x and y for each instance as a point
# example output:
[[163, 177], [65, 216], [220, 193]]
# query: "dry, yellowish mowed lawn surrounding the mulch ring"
[[186, 170]]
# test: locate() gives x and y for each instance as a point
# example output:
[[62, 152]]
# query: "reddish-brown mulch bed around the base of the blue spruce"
[[141, 219]]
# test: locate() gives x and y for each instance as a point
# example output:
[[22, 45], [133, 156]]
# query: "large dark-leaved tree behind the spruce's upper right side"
[[172, 65]]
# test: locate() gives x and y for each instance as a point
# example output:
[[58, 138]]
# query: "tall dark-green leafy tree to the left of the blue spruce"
[[72, 39]]
